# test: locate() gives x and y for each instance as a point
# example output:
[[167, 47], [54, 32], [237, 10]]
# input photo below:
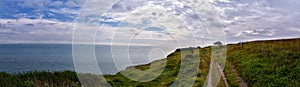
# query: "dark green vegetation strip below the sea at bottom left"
[[39, 78]]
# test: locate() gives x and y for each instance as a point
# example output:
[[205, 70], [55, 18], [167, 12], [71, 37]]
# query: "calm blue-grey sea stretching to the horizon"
[[20, 58]]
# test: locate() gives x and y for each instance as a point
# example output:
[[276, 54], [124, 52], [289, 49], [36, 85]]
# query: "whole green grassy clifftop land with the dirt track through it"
[[258, 63]]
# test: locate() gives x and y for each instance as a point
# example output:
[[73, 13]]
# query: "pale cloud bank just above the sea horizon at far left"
[[35, 30]]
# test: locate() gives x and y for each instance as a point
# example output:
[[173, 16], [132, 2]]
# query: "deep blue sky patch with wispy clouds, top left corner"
[[35, 9]]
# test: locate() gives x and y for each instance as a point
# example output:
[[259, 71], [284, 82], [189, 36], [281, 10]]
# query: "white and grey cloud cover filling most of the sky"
[[184, 19]]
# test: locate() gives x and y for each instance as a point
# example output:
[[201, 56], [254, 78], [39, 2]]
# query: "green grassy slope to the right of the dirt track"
[[278, 64]]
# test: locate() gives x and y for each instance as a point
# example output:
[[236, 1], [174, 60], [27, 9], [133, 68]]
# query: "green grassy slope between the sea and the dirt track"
[[170, 72]]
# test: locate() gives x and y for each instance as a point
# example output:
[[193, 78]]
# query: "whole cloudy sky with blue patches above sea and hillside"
[[148, 22]]
